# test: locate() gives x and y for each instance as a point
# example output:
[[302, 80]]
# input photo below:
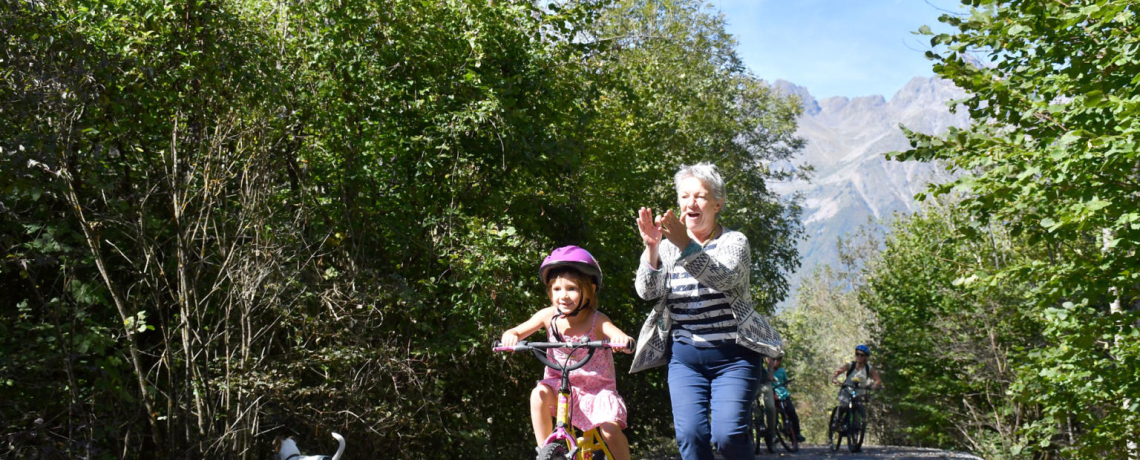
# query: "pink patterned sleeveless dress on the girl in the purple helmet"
[[595, 393]]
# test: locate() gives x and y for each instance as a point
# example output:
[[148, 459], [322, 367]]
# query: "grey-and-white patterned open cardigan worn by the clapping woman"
[[726, 269]]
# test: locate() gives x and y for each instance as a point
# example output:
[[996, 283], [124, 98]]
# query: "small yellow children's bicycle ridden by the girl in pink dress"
[[564, 443]]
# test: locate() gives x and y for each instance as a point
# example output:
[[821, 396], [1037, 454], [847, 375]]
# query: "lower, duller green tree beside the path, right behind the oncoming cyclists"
[[949, 344]]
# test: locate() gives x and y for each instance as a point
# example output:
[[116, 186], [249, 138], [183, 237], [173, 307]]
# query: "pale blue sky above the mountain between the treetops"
[[836, 47]]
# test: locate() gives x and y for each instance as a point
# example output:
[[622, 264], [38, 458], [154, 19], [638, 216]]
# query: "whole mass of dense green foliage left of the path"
[[232, 220]]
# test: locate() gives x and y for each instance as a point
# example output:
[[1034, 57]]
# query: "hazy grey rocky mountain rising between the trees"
[[853, 182]]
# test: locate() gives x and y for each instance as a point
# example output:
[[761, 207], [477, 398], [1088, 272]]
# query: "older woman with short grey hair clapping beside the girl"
[[713, 339]]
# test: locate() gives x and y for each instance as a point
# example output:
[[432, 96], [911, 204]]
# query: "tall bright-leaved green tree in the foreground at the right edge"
[[1052, 158]]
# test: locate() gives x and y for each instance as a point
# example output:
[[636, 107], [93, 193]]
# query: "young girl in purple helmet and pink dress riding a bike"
[[573, 280]]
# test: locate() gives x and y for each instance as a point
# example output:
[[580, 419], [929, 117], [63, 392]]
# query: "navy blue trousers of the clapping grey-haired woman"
[[712, 392]]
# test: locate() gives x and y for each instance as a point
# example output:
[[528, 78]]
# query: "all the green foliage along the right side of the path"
[[1041, 253]]
